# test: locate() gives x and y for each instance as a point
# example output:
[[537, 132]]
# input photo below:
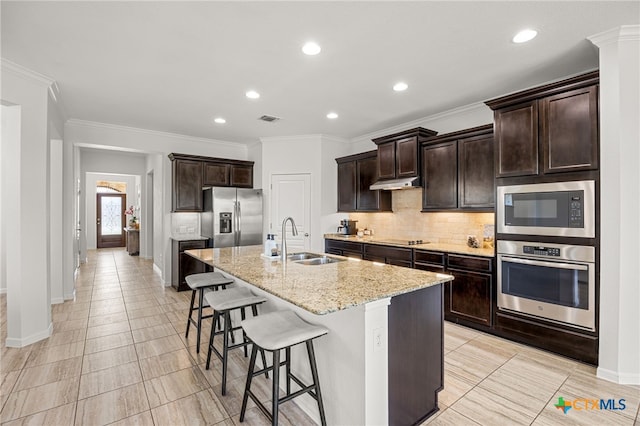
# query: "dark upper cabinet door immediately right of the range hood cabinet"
[[440, 176]]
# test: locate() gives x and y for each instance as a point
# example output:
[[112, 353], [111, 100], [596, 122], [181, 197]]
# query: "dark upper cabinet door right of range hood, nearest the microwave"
[[476, 173]]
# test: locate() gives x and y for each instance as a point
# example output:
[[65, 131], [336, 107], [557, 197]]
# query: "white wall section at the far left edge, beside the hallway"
[[26, 208]]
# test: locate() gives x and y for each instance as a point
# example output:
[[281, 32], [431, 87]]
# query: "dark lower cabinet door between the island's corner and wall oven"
[[469, 296]]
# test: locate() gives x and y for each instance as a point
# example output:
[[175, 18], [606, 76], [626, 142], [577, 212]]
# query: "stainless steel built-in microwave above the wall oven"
[[563, 209]]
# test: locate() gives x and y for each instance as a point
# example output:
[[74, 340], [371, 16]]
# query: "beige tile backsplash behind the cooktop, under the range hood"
[[408, 222]]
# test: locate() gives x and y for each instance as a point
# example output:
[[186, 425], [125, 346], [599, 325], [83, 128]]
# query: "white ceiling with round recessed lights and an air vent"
[[173, 66]]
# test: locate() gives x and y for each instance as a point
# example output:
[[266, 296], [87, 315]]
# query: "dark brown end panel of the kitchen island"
[[416, 358]]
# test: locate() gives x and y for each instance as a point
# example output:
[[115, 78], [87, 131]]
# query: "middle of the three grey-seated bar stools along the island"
[[223, 302]]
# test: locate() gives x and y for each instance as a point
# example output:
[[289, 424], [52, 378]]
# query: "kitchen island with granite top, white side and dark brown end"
[[382, 361]]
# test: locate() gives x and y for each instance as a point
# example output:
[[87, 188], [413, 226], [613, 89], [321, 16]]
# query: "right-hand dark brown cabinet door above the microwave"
[[570, 130]]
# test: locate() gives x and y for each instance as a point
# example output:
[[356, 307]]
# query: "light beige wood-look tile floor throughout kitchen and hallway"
[[118, 356]]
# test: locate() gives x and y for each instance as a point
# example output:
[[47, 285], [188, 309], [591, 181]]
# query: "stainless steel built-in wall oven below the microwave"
[[555, 282]]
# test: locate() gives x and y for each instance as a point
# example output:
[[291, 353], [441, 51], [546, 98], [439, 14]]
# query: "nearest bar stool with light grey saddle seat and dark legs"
[[273, 332]]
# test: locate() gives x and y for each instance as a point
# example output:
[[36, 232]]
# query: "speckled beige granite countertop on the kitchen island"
[[320, 289]]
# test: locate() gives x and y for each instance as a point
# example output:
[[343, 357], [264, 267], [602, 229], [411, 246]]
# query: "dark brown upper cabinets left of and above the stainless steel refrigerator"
[[190, 173]]
